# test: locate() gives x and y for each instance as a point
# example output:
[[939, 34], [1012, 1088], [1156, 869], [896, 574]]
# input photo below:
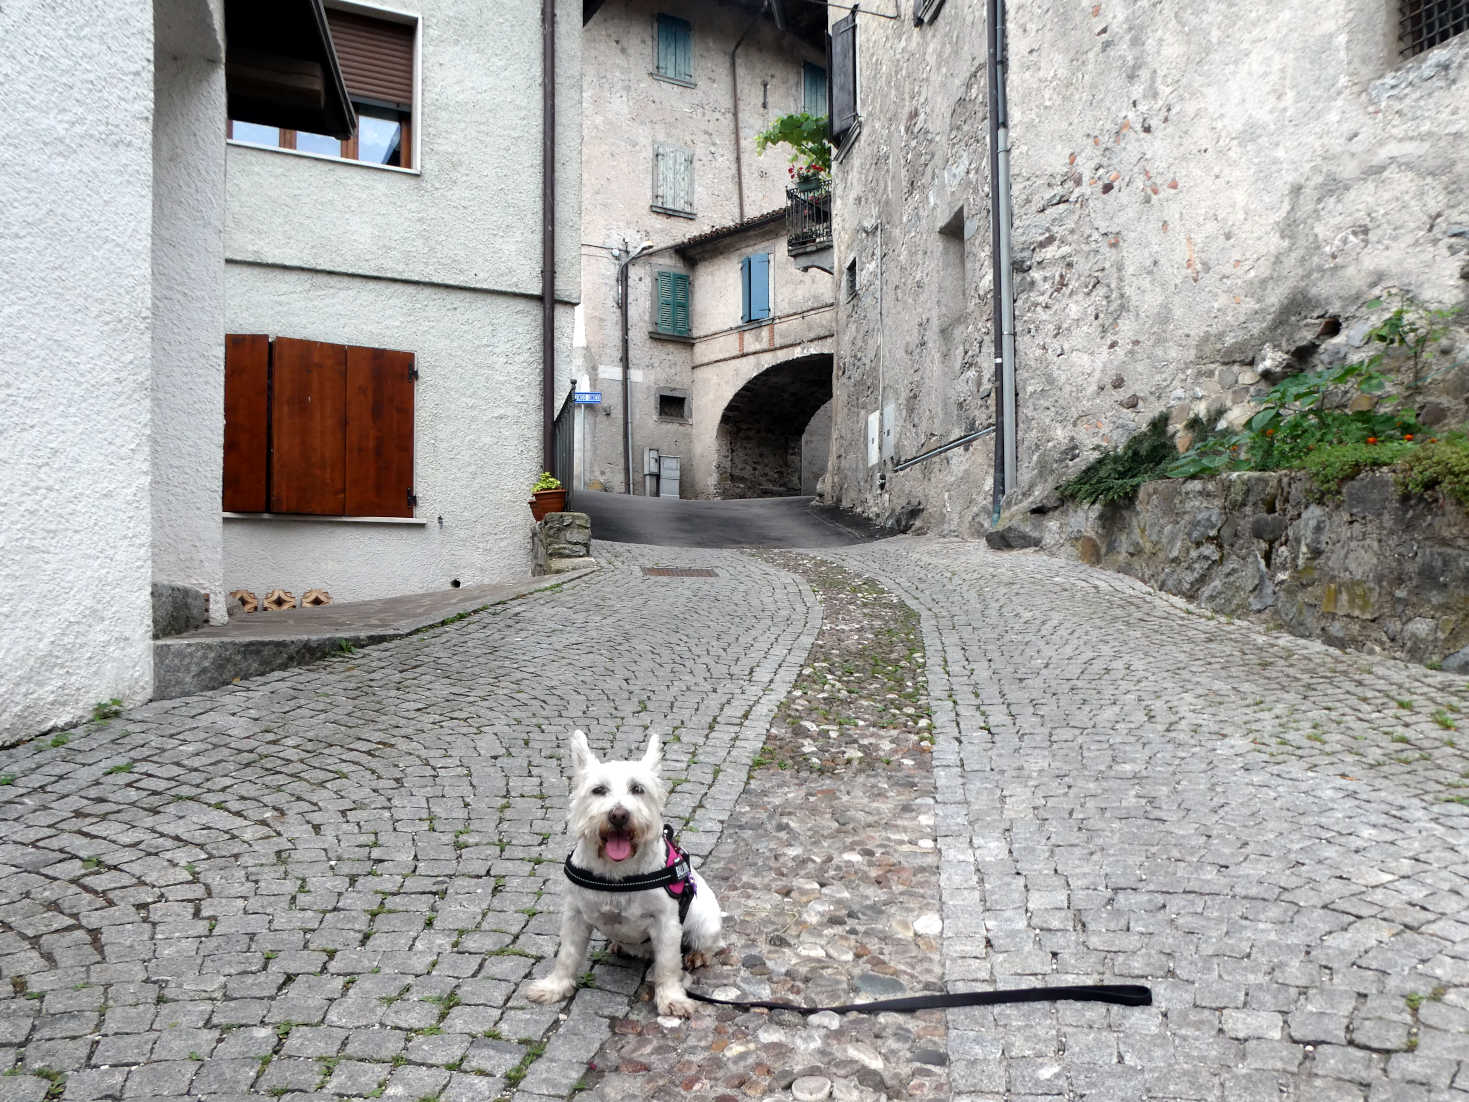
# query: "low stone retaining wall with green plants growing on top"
[[1374, 571]]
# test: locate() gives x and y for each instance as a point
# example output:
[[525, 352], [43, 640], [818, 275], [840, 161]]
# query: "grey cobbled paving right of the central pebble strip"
[[1271, 834]]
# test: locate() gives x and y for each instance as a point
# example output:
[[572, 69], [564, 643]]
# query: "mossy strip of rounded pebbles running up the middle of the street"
[[828, 871]]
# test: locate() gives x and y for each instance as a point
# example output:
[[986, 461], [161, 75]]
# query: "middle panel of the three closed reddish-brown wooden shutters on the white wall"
[[309, 428]]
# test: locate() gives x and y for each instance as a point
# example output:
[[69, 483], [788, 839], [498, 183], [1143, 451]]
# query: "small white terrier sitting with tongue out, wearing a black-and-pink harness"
[[616, 821]]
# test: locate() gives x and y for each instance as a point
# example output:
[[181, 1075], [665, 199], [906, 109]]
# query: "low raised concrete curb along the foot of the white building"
[[211, 658]]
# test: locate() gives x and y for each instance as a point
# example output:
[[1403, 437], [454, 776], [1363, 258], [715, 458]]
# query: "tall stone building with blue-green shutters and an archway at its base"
[[676, 201]]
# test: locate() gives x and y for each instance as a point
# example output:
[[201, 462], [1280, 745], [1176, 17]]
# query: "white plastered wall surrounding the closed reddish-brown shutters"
[[443, 262]]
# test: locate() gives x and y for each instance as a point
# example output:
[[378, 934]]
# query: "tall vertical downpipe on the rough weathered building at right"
[[1003, 281]]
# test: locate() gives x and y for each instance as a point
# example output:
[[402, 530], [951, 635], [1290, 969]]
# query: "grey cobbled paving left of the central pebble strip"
[[328, 882]]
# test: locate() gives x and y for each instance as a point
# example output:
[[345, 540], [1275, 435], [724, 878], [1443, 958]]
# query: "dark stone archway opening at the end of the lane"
[[760, 450]]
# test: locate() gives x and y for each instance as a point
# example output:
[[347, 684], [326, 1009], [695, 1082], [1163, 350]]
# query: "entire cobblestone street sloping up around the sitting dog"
[[334, 882]]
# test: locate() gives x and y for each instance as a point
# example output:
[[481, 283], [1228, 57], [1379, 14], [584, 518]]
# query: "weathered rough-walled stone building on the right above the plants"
[[1197, 196]]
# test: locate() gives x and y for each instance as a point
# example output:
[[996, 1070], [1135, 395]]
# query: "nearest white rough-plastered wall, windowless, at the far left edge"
[[74, 378]]
